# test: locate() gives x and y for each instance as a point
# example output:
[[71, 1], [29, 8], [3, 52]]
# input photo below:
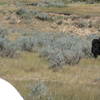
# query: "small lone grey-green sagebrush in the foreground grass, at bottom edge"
[[40, 91]]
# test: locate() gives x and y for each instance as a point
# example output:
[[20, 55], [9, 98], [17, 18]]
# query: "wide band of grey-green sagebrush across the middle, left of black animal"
[[59, 48]]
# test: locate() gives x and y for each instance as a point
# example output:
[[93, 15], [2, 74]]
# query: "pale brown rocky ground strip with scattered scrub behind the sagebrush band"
[[61, 23]]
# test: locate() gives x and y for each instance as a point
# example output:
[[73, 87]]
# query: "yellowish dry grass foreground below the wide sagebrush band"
[[81, 80]]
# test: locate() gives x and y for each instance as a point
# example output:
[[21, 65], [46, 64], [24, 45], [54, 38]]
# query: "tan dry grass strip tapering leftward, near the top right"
[[81, 9]]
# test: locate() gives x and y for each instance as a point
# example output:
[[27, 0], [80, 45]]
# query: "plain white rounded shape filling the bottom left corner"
[[8, 92]]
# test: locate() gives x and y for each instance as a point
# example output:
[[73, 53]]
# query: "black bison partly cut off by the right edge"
[[95, 47]]
